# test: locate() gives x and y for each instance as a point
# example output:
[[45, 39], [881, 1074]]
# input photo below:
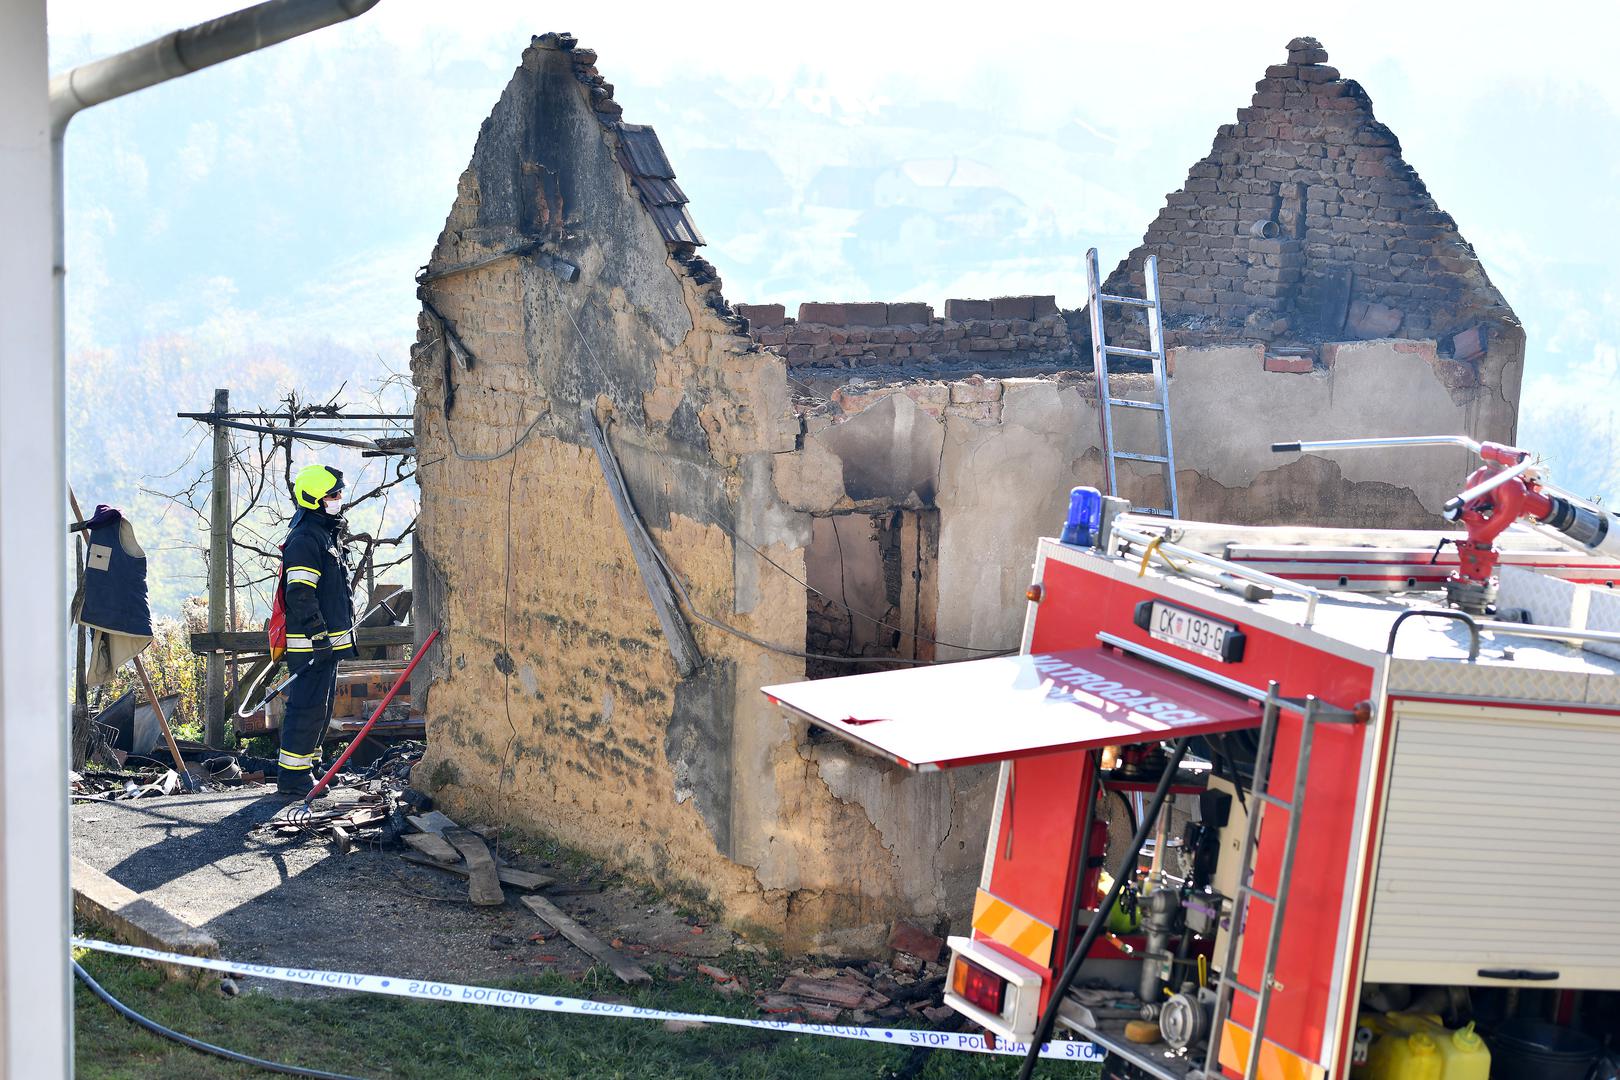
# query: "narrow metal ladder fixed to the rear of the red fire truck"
[[1313, 713]]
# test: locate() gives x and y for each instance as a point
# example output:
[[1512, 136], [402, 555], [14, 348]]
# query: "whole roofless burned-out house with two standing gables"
[[863, 482]]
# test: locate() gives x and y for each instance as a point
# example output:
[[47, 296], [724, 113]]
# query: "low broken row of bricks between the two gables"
[[995, 333]]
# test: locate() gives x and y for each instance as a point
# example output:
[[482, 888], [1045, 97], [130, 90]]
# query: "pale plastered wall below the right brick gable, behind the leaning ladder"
[[1002, 482]]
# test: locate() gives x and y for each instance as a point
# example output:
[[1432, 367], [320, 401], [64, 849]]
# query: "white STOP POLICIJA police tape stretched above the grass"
[[430, 990]]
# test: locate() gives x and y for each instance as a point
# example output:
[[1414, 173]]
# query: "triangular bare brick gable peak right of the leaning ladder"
[[1305, 223]]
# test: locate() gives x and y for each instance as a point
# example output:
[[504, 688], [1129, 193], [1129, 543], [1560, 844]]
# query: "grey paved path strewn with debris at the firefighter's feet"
[[296, 901]]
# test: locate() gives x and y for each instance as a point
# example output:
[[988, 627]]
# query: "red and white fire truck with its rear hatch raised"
[[1261, 786]]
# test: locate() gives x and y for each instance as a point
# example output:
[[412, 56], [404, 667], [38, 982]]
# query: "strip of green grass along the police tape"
[[369, 1035]]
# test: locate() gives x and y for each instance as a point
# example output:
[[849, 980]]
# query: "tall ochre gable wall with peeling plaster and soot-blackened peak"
[[555, 704]]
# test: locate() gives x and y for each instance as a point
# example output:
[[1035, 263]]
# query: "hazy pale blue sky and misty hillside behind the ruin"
[[263, 219]]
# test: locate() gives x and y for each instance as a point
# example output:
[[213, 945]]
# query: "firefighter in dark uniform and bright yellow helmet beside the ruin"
[[320, 621]]
